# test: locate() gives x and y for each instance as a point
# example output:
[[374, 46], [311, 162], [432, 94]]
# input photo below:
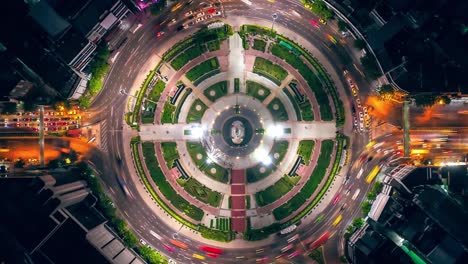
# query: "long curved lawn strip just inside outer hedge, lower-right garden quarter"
[[312, 183]]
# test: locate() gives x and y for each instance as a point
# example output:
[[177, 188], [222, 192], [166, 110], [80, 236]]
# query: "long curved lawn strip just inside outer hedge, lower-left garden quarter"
[[165, 187]]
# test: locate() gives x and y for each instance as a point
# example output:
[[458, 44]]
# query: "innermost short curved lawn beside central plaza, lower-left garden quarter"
[[199, 157]]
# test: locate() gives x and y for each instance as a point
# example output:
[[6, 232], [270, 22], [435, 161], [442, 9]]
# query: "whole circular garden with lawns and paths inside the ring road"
[[243, 140]]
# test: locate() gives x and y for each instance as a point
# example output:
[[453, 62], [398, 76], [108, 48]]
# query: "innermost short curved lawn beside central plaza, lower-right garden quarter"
[[278, 151]]
